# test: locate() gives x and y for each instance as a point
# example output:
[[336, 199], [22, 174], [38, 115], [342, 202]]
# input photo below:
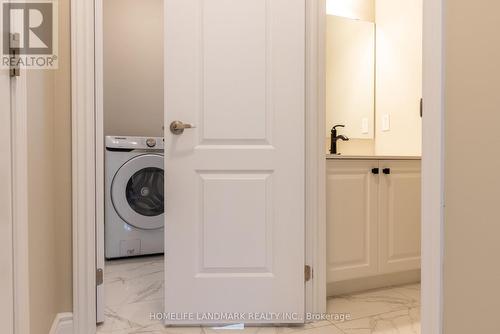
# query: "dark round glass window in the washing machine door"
[[145, 192]]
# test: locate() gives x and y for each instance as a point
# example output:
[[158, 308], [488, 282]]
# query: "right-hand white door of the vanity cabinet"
[[399, 215]]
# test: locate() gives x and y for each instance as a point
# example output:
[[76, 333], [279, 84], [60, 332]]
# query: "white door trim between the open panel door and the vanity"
[[315, 156]]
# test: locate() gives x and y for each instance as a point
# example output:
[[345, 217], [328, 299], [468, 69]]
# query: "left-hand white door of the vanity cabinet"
[[352, 230]]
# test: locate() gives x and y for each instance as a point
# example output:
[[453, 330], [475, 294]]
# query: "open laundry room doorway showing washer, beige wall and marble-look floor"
[[130, 197]]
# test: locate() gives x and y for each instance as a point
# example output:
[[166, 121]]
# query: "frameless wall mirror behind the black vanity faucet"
[[350, 76]]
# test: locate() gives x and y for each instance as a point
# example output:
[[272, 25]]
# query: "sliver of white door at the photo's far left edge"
[[6, 269]]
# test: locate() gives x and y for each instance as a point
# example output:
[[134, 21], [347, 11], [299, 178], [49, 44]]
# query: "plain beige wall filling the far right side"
[[472, 164]]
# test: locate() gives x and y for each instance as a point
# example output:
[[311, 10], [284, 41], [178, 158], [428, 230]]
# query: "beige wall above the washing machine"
[[133, 67]]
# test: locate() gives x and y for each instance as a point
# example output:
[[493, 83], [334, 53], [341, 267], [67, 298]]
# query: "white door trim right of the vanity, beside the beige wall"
[[433, 168]]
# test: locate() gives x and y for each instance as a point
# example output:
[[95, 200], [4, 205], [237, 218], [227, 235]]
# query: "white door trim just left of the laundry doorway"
[[83, 165]]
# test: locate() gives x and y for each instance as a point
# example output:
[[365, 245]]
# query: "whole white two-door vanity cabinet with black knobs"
[[373, 217]]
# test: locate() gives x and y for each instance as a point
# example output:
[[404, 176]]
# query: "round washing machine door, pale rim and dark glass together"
[[137, 192]]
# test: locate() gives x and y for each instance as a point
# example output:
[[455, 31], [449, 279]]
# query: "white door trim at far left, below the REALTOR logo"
[[17, 238]]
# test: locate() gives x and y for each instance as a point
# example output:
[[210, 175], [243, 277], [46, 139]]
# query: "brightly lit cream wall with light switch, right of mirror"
[[399, 76]]
